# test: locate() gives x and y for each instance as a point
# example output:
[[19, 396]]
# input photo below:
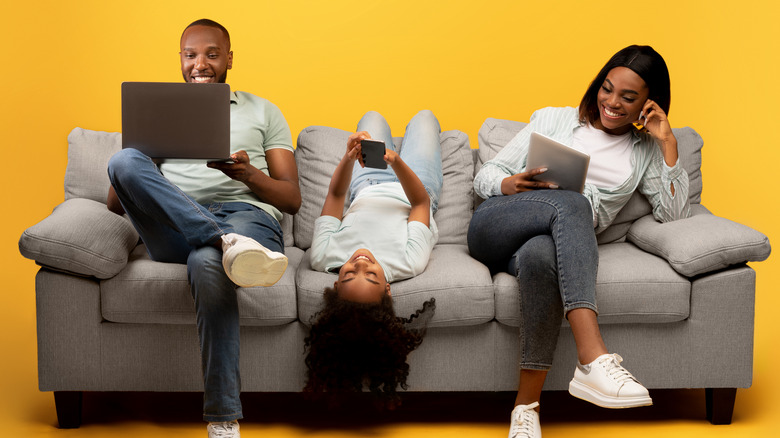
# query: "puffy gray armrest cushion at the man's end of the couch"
[[80, 236]]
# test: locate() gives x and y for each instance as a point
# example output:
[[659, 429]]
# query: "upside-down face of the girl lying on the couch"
[[362, 279]]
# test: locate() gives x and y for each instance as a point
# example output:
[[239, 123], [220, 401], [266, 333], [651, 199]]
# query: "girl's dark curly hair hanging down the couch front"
[[351, 344]]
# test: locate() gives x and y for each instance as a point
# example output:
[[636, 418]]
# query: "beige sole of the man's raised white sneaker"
[[256, 268]]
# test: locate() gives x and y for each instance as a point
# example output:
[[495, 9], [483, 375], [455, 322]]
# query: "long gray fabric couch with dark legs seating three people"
[[676, 300]]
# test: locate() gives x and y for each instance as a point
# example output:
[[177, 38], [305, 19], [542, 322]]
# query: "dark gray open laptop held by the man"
[[177, 120]]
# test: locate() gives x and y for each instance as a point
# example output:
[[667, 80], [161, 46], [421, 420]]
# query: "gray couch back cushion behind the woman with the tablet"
[[496, 133]]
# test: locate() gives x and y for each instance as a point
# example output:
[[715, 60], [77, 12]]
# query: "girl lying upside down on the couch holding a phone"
[[386, 235]]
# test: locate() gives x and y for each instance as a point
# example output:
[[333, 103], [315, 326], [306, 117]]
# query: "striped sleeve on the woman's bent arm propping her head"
[[656, 185]]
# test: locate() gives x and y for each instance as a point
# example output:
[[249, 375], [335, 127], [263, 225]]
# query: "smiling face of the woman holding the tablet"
[[620, 100]]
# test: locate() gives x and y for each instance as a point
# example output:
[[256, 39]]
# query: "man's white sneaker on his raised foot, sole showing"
[[248, 263]]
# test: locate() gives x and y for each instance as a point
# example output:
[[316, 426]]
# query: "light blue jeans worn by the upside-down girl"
[[420, 150]]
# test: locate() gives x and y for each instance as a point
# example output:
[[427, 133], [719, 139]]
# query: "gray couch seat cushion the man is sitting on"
[[150, 292]]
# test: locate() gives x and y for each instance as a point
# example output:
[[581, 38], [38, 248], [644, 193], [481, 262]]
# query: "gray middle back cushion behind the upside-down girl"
[[320, 149]]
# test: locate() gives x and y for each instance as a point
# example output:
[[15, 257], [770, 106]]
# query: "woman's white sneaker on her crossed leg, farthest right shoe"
[[605, 383]]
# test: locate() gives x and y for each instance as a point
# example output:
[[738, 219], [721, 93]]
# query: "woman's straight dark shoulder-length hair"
[[642, 60]]
